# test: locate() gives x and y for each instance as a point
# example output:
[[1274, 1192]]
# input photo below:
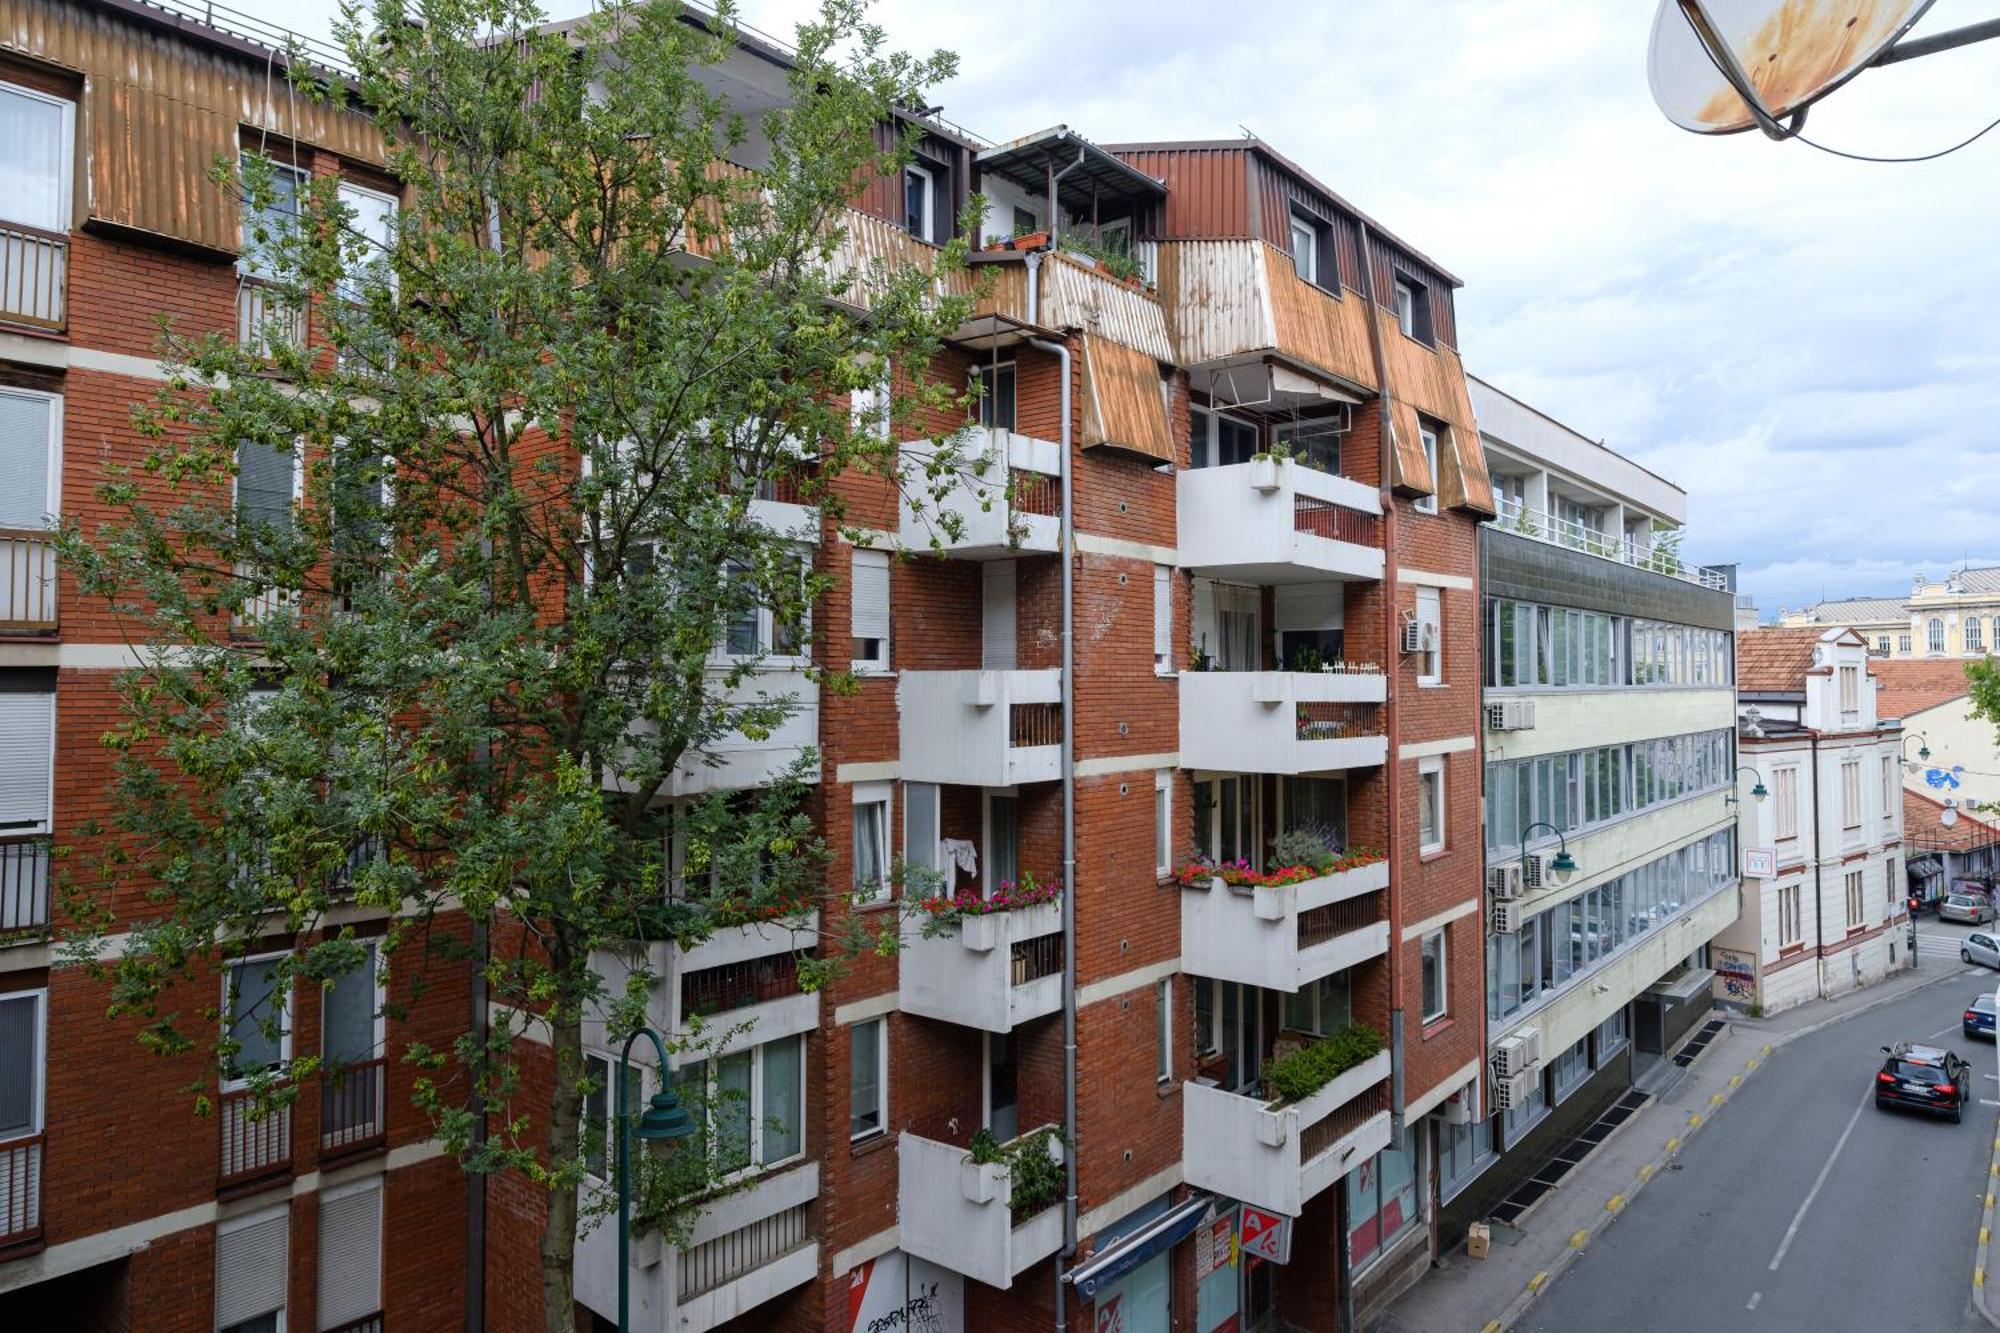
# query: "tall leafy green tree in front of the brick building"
[[489, 633]]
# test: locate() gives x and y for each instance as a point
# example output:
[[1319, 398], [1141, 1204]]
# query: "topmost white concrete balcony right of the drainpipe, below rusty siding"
[[1279, 521]]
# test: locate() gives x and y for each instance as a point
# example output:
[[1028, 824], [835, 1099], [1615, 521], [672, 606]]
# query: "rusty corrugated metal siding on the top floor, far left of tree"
[[159, 111]]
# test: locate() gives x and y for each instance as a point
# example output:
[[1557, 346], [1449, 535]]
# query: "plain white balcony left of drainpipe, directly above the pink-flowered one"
[[981, 728]]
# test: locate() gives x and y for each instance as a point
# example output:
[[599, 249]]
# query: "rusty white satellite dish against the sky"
[[1723, 67]]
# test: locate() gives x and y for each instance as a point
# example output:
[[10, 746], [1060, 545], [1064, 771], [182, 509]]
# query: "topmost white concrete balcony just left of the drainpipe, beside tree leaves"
[[977, 491]]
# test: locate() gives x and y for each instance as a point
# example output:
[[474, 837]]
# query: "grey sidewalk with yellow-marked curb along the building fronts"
[[1485, 1296]]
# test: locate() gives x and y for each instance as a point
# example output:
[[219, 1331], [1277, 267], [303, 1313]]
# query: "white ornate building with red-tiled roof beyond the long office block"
[[1823, 850]]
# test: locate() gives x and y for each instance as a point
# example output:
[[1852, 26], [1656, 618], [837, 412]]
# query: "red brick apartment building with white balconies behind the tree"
[[1261, 619]]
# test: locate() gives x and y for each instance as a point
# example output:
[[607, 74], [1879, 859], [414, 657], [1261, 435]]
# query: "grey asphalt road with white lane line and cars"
[[1803, 1206]]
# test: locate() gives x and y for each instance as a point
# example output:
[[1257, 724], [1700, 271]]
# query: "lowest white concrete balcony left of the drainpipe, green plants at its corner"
[[959, 1214]]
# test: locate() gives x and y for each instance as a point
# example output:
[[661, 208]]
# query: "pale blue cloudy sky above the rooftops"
[[1807, 345]]
